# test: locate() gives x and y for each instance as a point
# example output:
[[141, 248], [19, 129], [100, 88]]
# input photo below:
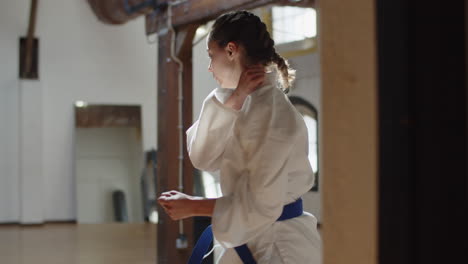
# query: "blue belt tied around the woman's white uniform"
[[289, 211]]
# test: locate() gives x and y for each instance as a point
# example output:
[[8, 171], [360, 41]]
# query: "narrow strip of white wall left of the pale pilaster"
[[10, 27]]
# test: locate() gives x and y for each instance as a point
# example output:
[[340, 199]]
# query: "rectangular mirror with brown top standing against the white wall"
[[114, 178]]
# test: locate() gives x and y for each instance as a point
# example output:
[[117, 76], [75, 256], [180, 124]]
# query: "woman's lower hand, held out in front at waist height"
[[177, 205]]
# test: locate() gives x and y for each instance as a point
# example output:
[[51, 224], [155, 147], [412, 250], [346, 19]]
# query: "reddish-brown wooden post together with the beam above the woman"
[[186, 18]]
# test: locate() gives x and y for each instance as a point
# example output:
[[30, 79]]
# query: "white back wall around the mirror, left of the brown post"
[[80, 59]]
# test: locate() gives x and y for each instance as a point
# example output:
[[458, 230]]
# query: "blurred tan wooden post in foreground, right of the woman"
[[350, 131]]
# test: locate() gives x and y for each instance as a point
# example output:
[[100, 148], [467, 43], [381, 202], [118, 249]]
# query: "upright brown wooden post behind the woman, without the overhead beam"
[[168, 139]]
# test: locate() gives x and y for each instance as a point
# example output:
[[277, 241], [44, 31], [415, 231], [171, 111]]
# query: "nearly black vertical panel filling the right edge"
[[423, 99]]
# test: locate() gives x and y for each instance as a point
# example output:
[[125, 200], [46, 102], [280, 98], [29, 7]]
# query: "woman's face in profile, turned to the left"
[[222, 68]]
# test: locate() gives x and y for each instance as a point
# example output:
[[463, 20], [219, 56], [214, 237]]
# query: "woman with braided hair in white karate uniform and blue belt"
[[250, 132]]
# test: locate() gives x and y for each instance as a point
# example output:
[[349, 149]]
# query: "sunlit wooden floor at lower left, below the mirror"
[[78, 244]]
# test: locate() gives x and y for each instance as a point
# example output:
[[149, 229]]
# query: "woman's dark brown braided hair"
[[245, 28]]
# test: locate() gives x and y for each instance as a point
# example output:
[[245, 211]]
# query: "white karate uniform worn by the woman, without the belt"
[[261, 154]]
